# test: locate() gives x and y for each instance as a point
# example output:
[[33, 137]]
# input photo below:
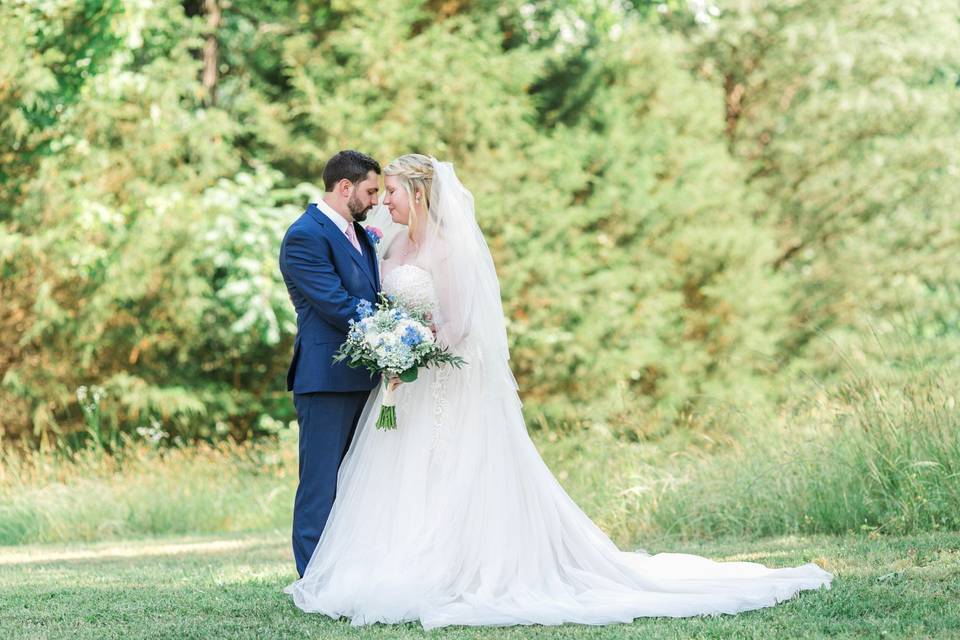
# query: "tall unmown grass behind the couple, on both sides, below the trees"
[[878, 452]]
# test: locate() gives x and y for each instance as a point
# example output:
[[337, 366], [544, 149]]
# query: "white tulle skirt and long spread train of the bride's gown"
[[454, 519]]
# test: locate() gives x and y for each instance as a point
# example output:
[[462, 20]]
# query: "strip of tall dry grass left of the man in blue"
[[145, 491]]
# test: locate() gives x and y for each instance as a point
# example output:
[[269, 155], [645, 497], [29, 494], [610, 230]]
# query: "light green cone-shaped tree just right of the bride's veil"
[[650, 294]]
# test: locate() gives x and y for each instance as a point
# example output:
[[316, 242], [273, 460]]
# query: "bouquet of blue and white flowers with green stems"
[[395, 341]]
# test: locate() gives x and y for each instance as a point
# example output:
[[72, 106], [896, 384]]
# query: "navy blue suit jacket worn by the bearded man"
[[326, 278]]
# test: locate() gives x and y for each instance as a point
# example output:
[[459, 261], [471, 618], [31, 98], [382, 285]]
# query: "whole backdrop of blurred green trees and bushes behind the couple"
[[689, 205]]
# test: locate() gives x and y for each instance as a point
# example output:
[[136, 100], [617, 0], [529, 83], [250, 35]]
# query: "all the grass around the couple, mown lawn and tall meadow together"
[[875, 462]]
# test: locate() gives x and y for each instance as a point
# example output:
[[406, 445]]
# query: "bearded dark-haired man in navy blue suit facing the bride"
[[329, 265]]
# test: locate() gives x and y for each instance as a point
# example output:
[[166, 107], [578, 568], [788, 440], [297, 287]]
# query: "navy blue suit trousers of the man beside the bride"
[[327, 422]]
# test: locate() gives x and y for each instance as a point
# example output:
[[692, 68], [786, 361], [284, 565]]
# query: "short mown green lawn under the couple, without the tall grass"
[[230, 587]]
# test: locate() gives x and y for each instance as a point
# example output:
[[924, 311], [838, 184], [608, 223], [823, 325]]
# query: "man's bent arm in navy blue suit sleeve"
[[319, 283]]
